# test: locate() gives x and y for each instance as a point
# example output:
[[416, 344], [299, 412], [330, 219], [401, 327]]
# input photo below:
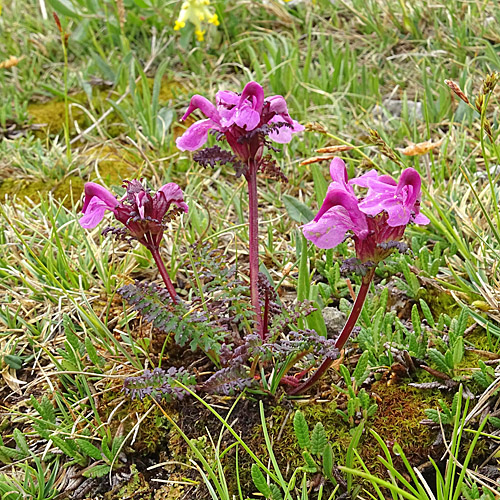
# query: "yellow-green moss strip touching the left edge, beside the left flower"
[[69, 189]]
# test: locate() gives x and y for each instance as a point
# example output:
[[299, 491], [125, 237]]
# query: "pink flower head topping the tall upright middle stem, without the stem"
[[236, 116]]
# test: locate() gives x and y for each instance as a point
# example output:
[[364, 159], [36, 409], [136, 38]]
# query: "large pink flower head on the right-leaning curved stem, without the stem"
[[375, 222]]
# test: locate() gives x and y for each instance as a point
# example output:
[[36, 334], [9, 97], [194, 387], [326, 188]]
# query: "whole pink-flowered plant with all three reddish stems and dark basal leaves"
[[376, 221]]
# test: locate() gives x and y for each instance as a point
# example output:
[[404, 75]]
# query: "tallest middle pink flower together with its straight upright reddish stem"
[[246, 122]]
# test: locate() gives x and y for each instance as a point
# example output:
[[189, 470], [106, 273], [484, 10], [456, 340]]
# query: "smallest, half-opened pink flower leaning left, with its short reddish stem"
[[143, 215]]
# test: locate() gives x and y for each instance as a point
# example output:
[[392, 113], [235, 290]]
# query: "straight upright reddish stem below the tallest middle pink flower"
[[253, 241]]
